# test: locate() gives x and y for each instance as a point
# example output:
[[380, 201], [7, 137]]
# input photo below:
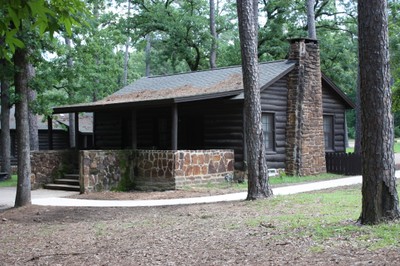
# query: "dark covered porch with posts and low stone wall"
[[159, 145]]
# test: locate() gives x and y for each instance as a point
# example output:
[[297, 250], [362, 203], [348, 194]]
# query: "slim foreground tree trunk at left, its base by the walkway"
[[23, 196]]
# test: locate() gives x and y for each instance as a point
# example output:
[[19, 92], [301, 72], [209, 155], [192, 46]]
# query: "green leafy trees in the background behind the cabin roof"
[[171, 36]]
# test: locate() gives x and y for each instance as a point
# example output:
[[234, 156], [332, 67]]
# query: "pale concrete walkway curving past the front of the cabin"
[[46, 197]]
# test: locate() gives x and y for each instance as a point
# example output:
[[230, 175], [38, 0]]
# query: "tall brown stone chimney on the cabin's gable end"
[[305, 148]]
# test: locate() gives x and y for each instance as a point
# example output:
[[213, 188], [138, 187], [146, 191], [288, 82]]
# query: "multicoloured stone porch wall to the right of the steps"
[[152, 169]]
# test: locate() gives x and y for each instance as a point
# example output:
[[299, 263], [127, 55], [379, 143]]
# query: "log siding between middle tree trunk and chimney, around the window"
[[274, 100]]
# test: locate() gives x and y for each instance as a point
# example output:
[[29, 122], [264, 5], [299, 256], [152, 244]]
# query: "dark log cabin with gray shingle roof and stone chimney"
[[303, 112]]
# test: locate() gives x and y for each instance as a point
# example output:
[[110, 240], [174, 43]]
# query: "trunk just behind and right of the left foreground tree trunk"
[[33, 126]]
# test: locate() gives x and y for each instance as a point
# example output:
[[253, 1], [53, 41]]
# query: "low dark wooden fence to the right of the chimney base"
[[343, 163]]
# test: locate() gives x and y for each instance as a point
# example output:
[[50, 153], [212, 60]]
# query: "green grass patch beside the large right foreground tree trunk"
[[327, 217]]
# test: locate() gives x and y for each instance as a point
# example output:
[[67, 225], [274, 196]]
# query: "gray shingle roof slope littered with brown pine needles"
[[188, 86]]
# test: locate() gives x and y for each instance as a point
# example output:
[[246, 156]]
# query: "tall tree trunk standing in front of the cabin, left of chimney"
[[258, 186]]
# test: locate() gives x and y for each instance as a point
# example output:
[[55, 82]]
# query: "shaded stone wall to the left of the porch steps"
[[49, 165]]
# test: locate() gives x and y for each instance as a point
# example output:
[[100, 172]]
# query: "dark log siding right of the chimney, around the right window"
[[332, 105]]
